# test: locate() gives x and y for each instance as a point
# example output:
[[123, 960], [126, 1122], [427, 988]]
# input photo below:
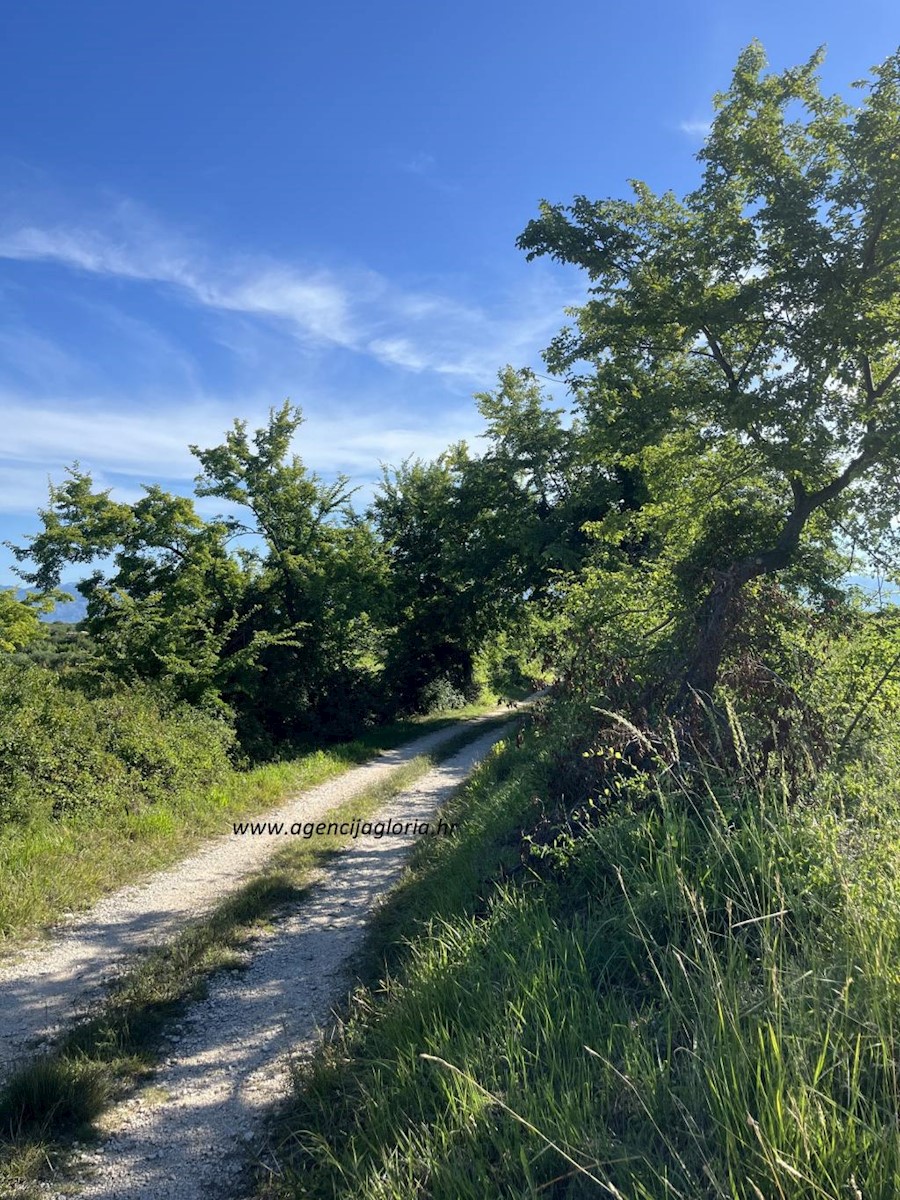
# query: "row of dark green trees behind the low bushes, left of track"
[[292, 614]]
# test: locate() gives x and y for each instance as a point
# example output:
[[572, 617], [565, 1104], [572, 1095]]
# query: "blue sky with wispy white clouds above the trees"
[[212, 207]]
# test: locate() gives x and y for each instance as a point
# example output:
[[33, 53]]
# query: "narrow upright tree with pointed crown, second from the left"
[[320, 586]]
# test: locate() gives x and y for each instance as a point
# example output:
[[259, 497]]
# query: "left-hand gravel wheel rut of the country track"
[[53, 983]]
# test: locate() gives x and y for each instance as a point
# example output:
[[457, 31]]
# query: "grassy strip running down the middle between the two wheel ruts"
[[63, 1094]]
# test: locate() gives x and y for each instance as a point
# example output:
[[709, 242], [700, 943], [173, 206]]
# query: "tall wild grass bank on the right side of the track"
[[698, 997]]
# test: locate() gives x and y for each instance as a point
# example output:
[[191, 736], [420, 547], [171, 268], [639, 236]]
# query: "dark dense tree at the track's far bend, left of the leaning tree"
[[475, 543]]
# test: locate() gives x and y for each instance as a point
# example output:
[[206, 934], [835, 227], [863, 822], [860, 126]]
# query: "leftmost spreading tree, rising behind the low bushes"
[[166, 599]]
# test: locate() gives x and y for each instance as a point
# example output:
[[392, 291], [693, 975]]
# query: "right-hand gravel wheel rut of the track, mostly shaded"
[[188, 1136]]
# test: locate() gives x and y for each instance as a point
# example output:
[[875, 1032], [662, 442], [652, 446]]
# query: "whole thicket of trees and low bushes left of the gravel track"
[[289, 621]]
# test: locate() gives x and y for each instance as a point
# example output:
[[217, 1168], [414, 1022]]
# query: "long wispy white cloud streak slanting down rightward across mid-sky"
[[356, 310]]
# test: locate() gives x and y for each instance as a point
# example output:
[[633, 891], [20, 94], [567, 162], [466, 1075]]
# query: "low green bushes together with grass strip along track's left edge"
[[101, 793]]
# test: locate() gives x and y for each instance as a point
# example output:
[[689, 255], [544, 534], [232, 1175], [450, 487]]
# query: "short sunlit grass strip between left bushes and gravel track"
[[55, 867]]
